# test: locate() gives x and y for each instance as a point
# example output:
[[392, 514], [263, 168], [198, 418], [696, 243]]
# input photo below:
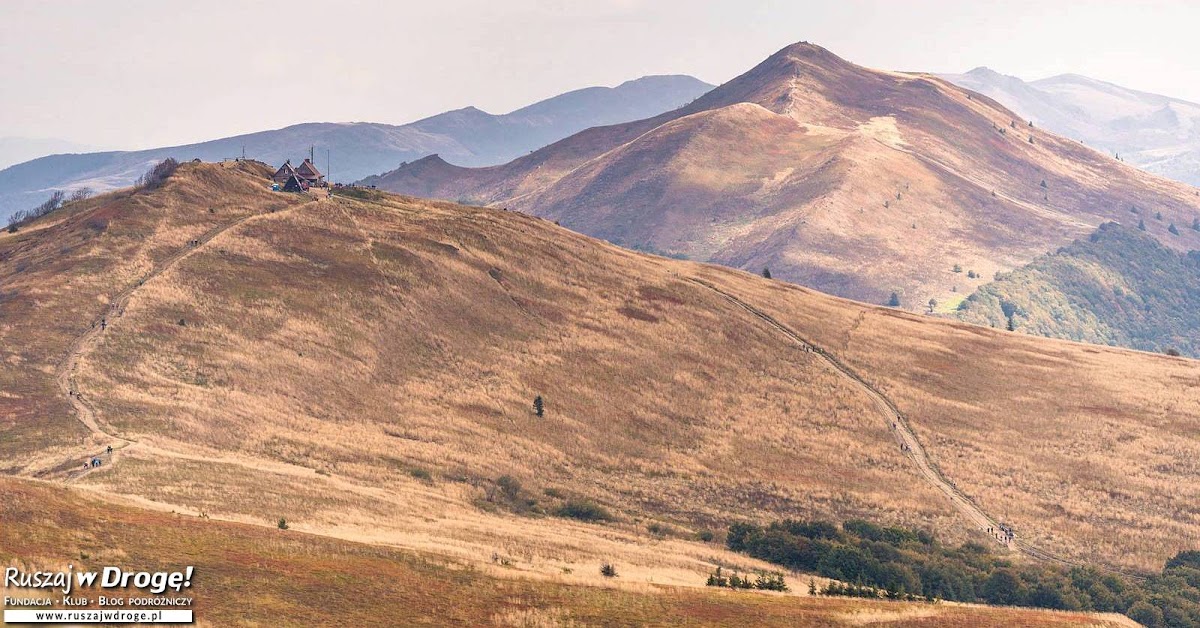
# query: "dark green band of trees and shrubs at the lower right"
[[902, 564]]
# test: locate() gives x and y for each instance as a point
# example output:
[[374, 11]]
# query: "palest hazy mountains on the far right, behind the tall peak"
[[1160, 134]]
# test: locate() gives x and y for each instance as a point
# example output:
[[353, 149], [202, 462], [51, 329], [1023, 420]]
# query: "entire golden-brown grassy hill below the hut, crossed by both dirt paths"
[[367, 367]]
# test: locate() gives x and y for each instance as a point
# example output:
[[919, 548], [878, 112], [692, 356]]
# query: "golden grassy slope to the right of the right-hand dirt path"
[[1087, 451]]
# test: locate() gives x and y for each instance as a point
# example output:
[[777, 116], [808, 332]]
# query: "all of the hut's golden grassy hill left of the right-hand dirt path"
[[367, 368]]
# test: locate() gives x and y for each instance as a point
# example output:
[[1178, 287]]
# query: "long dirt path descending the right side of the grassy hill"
[[908, 441]]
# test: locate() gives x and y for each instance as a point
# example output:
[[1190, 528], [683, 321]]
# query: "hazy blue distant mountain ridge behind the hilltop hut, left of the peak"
[[467, 136]]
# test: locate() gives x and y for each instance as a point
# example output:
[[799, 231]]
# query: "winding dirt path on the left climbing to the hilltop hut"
[[67, 370]]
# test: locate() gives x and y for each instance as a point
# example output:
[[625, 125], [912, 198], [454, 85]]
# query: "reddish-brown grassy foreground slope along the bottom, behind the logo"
[[249, 576]]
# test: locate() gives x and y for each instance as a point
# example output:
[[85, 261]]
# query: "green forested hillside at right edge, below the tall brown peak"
[[1117, 288]]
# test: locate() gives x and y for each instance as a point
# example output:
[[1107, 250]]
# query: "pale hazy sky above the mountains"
[[134, 74]]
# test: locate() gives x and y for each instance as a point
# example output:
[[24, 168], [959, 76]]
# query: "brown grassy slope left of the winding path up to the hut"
[[59, 276]]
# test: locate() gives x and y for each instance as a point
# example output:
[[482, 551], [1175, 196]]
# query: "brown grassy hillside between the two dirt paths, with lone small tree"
[[371, 339]]
